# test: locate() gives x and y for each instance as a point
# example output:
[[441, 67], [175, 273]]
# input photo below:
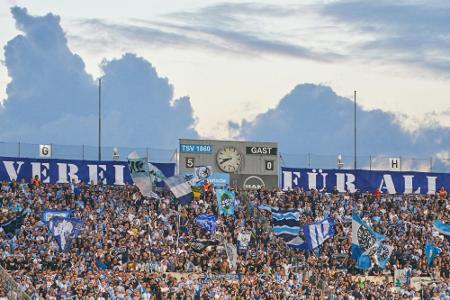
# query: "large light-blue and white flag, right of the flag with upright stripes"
[[367, 243]]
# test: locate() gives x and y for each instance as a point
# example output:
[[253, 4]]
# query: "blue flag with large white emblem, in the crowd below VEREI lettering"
[[65, 230]]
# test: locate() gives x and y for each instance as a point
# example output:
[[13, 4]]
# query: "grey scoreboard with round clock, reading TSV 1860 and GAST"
[[244, 164]]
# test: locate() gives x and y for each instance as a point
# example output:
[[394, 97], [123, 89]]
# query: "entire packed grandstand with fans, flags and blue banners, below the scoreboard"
[[80, 229]]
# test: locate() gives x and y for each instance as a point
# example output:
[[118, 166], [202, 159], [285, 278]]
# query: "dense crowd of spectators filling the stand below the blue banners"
[[133, 247]]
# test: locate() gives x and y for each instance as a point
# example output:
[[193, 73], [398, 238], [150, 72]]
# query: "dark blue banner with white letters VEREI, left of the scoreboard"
[[64, 171]]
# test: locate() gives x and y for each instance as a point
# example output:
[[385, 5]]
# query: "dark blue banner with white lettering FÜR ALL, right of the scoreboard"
[[391, 182]]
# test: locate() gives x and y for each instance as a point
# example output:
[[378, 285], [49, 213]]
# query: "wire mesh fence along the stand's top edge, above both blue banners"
[[305, 160]]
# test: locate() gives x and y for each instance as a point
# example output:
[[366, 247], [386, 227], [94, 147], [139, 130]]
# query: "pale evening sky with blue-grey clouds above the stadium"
[[270, 70]]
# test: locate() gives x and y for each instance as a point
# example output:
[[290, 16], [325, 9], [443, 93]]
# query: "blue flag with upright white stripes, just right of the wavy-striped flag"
[[317, 233]]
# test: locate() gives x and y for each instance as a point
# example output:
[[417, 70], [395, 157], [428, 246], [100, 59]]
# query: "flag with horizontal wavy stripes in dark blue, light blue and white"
[[286, 224]]
